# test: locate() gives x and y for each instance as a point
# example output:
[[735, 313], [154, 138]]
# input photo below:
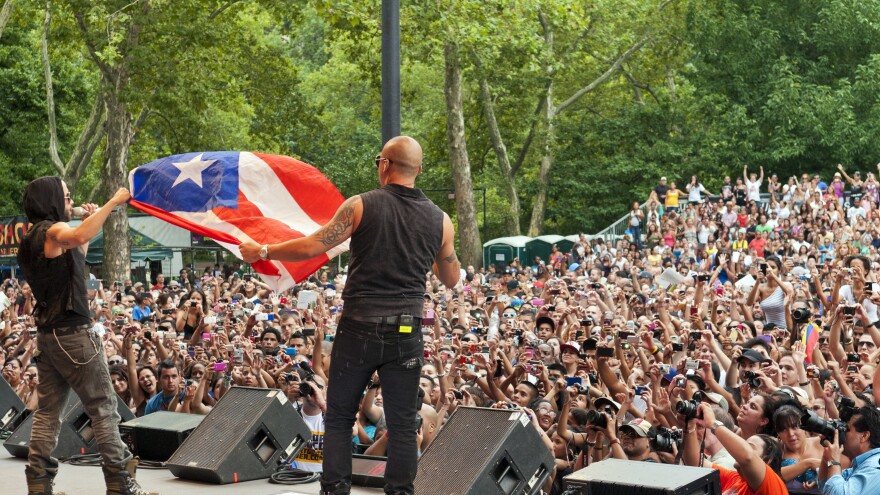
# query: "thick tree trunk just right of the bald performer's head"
[[468, 232]]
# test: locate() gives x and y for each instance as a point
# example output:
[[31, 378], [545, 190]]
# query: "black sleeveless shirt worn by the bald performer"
[[392, 250]]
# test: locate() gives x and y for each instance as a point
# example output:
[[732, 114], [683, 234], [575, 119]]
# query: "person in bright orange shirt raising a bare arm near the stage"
[[758, 459]]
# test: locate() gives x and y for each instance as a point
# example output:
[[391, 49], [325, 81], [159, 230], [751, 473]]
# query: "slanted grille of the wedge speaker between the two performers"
[[225, 428]]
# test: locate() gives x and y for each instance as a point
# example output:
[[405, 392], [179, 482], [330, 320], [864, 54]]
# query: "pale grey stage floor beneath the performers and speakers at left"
[[86, 480]]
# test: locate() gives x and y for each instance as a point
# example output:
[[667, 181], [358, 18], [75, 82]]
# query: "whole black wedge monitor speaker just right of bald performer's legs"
[[483, 451]]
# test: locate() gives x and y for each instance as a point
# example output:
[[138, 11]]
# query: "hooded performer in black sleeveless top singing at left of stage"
[[69, 353]]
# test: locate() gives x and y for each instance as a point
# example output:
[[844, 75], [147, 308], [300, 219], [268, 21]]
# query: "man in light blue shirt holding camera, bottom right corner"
[[861, 443]]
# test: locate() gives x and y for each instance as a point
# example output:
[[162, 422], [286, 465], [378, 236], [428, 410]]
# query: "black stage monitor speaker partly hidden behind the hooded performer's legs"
[[75, 437]]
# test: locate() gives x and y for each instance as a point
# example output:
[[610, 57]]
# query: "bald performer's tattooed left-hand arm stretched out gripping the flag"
[[339, 229]]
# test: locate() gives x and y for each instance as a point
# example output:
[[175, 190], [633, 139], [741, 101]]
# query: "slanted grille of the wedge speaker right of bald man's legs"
[[469, 441]]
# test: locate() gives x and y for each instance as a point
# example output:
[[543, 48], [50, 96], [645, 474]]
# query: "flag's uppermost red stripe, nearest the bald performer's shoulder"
[[313, 192]]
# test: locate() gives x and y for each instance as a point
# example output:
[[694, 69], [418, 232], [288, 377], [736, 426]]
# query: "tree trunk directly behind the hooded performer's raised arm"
[[117, 249]]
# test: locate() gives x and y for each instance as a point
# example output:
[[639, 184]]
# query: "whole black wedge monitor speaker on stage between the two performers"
[[245, 437]]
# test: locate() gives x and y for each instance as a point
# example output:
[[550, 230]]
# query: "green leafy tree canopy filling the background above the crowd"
[[570, 110]]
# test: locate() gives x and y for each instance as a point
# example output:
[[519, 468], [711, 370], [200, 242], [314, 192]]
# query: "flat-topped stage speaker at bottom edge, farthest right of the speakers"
[[618, 477]]
